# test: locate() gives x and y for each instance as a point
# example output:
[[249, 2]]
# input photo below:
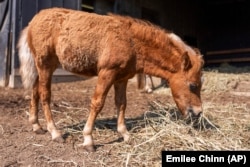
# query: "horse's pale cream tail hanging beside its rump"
[[28, 69]]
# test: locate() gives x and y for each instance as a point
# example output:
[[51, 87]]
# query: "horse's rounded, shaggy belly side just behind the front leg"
[[76, 54]]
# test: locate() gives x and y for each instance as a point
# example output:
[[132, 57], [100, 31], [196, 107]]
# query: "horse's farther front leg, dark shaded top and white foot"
[[121, 102]]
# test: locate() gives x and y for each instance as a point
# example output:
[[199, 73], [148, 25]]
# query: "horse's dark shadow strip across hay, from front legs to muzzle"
[[158, 114]]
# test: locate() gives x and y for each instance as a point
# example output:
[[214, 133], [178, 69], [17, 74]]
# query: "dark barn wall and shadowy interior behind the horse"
[[199, 23]]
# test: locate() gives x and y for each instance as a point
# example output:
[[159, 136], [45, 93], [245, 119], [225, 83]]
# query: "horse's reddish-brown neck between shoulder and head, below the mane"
[[156, 58]]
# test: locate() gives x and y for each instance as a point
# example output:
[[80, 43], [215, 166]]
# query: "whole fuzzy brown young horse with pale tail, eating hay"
[[114, 48]]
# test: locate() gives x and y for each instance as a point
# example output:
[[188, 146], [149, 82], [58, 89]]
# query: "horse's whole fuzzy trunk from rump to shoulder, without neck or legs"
[[81, 42]]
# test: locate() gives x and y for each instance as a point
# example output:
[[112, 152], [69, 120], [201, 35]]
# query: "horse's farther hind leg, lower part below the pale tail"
[[33, 117]]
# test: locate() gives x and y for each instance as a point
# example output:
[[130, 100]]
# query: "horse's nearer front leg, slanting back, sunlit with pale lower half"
[[105, 80]]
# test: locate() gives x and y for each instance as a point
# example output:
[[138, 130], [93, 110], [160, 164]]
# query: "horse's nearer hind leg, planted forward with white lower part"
[[45, 76]]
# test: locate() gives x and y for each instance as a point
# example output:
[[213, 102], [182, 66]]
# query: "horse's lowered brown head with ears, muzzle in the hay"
[[186, 84]]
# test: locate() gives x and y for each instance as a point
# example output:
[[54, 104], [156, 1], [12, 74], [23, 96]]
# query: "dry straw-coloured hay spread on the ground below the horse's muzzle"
[[162, 129]]
